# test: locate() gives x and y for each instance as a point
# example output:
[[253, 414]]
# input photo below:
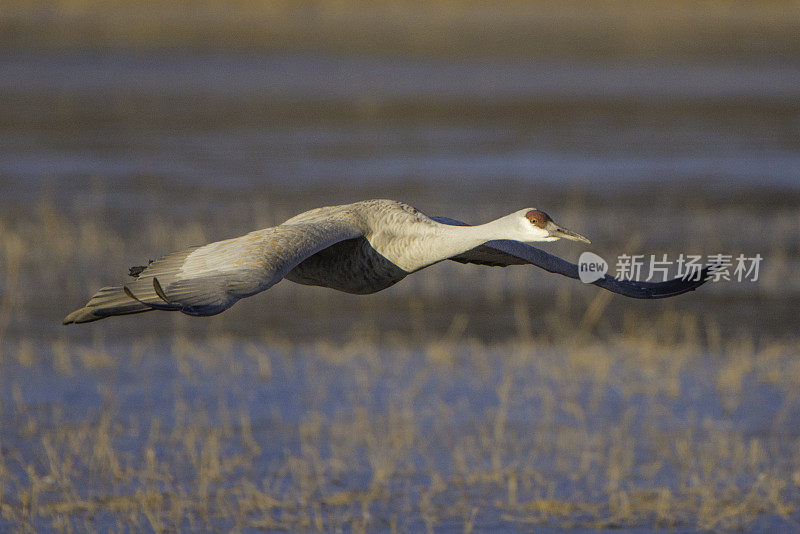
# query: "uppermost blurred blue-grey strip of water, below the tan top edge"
[[297, 77]]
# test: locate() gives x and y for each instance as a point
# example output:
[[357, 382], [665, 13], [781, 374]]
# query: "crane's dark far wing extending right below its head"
[[505, 252]]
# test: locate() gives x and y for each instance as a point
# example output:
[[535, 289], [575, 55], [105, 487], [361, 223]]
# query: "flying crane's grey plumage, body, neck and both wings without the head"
[[358, 248]]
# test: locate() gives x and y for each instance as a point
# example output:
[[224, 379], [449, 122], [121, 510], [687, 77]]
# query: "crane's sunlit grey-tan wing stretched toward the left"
[[209, 279]]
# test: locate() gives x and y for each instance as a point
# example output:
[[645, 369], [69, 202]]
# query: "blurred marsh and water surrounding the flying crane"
[[129, 129]]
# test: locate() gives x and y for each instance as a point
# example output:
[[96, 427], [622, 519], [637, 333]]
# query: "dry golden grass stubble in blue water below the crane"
[[511, 435]]
